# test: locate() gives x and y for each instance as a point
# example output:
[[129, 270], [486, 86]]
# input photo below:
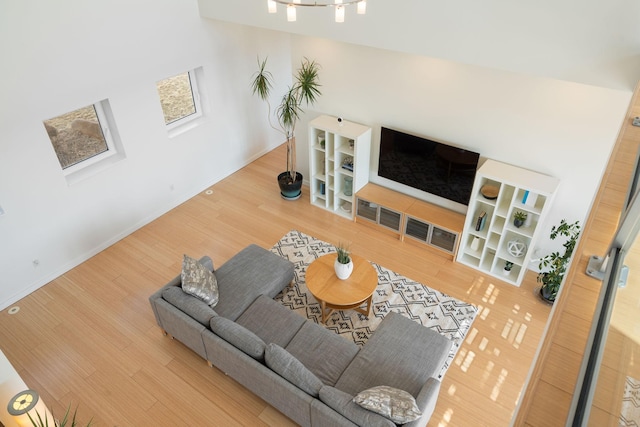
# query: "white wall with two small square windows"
[[60, 56]]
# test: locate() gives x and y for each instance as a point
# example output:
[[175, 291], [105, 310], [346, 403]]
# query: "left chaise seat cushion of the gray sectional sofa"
[[251, 272]]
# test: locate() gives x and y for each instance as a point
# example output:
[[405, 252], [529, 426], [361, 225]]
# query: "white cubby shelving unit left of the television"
[[331, 143]]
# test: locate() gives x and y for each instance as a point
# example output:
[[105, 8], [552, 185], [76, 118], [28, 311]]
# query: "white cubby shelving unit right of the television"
[[487, 247]]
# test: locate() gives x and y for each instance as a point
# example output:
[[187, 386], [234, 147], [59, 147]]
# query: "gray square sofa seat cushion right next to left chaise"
[[271, 321]]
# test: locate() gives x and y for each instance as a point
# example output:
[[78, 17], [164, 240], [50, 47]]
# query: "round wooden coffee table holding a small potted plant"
[[335, 294]]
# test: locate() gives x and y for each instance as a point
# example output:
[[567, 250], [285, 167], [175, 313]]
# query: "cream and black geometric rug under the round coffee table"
[[433, 309]]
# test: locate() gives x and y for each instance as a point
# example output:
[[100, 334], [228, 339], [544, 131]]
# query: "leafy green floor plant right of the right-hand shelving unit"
[[554, 266]]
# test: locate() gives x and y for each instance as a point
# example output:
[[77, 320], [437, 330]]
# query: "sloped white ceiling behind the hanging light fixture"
[[591, 42]]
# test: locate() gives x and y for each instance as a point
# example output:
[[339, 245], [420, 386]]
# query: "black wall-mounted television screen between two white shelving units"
[[427, 165]]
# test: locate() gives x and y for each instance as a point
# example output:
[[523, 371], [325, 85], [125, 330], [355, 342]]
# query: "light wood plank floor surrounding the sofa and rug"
[[89, 337]]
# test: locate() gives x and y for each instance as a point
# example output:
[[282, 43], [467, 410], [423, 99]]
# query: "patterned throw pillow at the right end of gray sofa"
[[397, 405]]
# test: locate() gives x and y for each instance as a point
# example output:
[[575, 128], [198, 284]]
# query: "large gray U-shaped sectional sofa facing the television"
[[305, 371]]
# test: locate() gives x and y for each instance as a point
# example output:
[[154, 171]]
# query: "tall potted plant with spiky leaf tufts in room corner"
[[304, 91]]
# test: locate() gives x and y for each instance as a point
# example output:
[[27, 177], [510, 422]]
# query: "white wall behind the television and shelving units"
[[559, 128]]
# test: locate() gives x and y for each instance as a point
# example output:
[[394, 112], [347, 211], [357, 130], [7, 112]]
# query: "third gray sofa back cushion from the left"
[[290, 368]]
